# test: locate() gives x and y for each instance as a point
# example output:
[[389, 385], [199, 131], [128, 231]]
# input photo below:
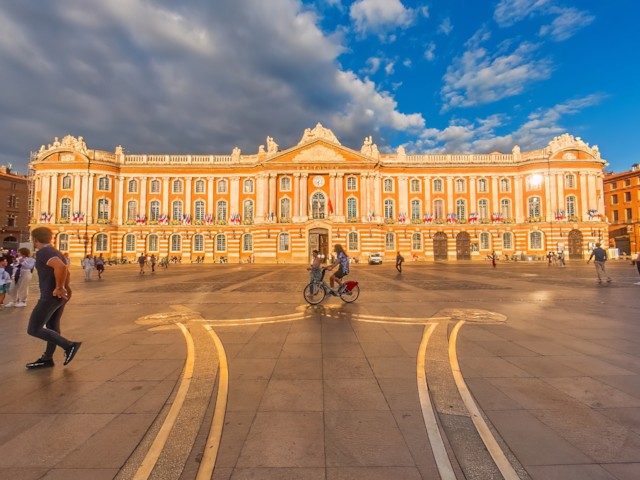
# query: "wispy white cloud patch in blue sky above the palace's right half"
[[478, 77]]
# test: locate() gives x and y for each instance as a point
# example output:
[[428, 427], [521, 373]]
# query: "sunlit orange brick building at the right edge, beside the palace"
[[622, 208]]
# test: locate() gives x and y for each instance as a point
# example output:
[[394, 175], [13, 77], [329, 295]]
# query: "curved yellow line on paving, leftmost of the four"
[[158, 444]]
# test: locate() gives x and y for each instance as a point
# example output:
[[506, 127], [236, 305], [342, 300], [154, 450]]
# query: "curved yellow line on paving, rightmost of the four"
[[489, 440]]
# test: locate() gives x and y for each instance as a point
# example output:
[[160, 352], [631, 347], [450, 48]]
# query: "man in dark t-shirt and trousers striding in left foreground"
[[55, 292]]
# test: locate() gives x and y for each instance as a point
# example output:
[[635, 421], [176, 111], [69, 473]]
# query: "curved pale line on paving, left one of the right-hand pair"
[[429, 416]]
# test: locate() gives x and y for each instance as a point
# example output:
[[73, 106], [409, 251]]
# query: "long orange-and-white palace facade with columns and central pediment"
[[278, 205]]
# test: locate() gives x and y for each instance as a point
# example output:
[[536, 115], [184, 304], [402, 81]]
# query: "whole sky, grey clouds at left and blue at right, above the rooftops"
[[198, 76]]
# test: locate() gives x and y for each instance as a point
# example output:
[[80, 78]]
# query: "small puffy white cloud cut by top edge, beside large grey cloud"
[[380, 16]]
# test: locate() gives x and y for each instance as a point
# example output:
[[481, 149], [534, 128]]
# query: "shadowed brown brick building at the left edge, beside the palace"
[[14, 209]]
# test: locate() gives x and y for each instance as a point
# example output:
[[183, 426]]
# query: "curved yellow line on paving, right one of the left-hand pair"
[[208, 463]]
